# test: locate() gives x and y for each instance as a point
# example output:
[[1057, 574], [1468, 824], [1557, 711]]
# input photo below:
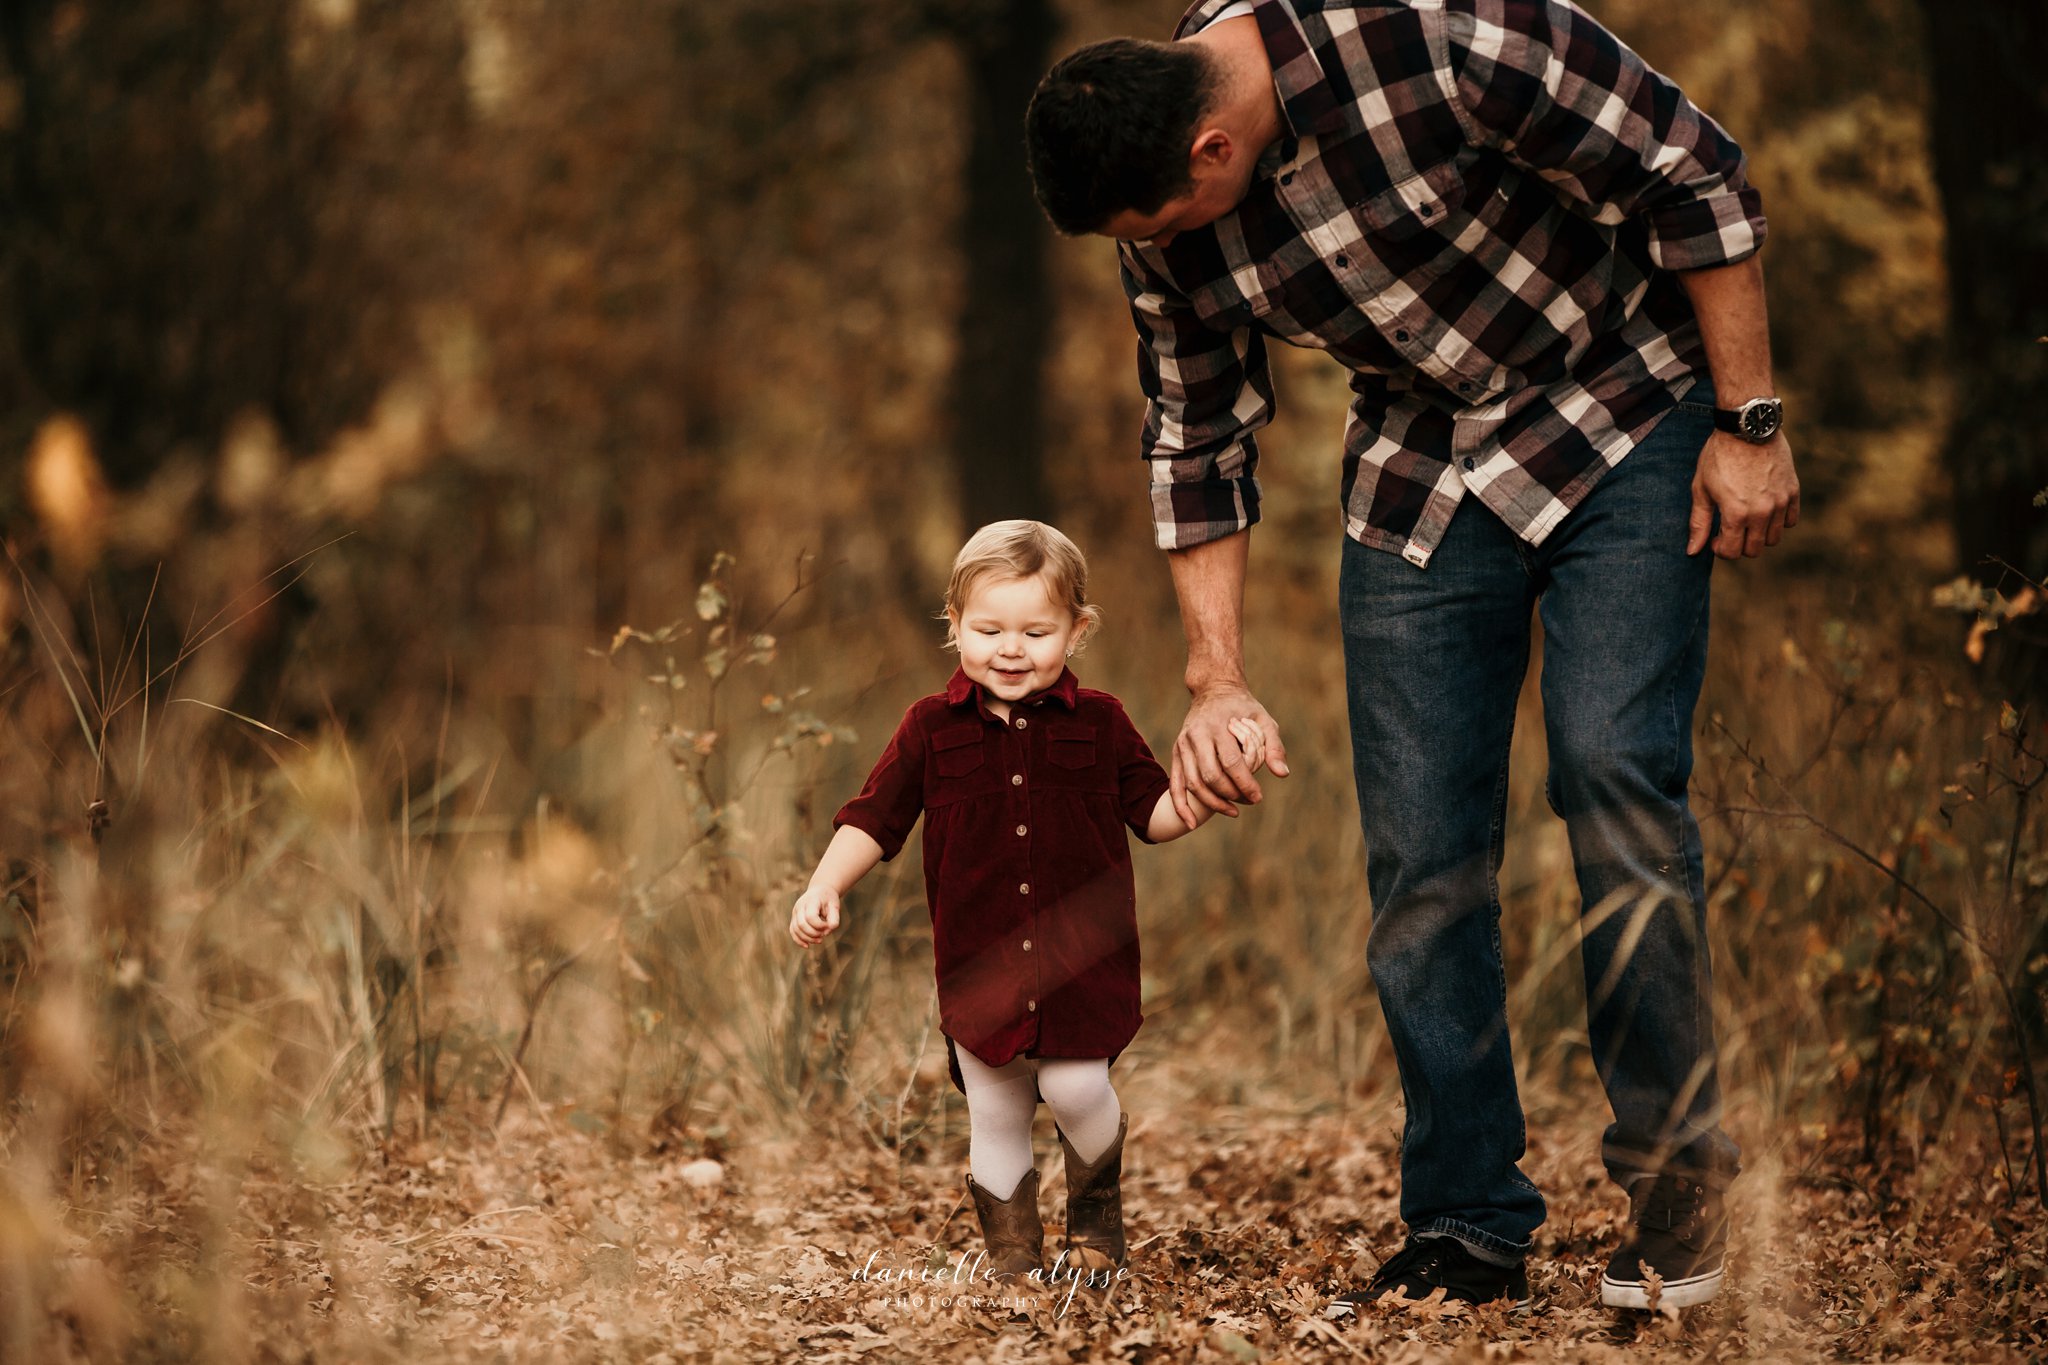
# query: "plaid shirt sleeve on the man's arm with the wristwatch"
[[1558, 93]]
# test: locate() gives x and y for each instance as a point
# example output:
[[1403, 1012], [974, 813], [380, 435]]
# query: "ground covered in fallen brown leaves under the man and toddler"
[[556, 1243]]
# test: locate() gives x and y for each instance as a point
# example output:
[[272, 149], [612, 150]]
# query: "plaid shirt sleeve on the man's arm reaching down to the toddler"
[[1207, 392]]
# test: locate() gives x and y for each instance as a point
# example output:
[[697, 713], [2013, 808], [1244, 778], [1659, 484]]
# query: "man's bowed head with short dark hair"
[[1123, 142]]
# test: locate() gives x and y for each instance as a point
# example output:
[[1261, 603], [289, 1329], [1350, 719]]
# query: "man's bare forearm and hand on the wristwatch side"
[[1754, 486]]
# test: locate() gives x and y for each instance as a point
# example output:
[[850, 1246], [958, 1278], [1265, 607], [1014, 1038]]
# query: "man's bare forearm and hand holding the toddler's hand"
[[1207, 760]]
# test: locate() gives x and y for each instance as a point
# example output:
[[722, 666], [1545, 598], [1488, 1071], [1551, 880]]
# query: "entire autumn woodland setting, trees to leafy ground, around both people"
[[476, 482]]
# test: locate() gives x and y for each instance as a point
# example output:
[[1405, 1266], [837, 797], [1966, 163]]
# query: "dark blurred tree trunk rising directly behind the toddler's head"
[[998, 380]]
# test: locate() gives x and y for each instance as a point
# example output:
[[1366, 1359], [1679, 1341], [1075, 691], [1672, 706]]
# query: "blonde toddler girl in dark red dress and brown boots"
[[1025, 781]]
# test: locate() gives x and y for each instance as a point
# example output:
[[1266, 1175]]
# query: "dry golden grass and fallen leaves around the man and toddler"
[[331, 1051]]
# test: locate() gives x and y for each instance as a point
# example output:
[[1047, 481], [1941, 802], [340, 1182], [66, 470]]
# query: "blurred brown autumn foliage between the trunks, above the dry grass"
[[552, 290]]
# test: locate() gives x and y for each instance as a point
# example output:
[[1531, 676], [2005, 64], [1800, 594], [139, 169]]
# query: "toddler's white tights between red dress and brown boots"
[[1000, 1110]]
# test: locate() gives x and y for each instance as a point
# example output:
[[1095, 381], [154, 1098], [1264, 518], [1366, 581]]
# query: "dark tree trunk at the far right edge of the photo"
[[1992, 165]]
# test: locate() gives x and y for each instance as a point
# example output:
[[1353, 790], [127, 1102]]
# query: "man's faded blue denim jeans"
[[1435, 660]]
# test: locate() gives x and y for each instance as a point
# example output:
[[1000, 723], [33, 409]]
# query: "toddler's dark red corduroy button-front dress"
[[1027, 867]]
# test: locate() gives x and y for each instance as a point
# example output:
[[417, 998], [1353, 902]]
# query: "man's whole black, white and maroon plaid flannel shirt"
[[1478, 208]]
